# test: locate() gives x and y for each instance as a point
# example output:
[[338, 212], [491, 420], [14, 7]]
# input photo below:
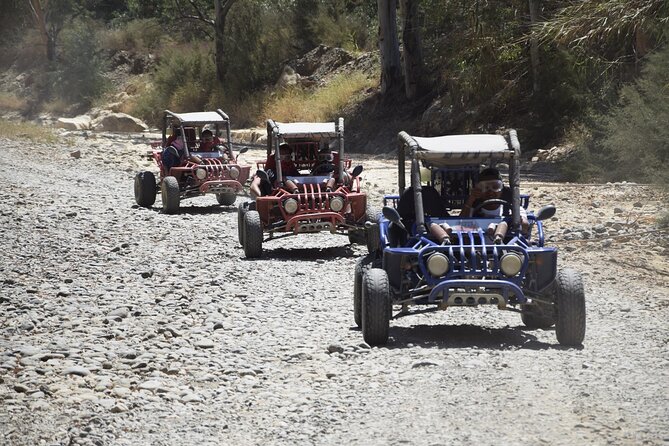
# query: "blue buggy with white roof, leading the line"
[[429, 257]]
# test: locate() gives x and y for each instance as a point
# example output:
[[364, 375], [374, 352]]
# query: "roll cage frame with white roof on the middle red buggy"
[[278, 131]]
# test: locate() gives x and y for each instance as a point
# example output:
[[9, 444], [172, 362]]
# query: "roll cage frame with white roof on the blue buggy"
[[458, 150]]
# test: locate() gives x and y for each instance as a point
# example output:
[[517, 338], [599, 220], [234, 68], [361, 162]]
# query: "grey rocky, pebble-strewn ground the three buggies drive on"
[[124, 326]]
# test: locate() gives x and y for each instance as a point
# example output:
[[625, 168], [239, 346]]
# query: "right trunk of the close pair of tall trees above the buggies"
[[413, 51]]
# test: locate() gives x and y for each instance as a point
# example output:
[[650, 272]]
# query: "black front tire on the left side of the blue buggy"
[[376, 306]]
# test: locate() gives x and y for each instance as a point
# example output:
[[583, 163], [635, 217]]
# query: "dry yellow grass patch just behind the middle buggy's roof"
[[324, 104]]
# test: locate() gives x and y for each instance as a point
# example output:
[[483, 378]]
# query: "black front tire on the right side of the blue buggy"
[[570, 301]]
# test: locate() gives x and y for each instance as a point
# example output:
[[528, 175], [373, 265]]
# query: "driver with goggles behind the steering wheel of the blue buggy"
[[490, 187]]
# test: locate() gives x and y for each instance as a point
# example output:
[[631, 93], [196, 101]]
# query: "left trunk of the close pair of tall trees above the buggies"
[[391, 75]]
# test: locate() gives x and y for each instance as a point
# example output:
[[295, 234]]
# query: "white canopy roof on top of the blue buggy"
[[460, 149]]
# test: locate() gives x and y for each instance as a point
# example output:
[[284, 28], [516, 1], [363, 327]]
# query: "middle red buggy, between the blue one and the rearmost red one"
[[316, 204]]
